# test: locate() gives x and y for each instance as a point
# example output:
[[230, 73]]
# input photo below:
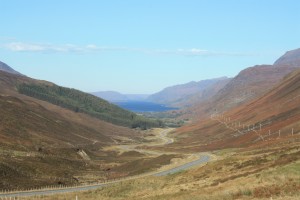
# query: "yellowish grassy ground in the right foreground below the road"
[[264, 172]]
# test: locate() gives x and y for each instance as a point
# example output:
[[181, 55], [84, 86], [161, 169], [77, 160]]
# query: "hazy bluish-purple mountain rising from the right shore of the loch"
[[189, 93]]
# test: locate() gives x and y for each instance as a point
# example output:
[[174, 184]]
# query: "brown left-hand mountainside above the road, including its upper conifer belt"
[[45, 140]]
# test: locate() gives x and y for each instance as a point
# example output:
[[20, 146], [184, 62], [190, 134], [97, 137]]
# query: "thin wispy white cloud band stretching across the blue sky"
[[71, 48]]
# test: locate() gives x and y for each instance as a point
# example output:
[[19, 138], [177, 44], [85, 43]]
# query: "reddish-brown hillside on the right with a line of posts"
[[272, 118]]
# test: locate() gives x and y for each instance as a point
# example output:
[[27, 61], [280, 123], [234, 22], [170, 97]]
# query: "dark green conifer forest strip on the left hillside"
[[78, 101]]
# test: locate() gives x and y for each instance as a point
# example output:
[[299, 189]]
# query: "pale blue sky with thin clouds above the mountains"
[[137, 46]]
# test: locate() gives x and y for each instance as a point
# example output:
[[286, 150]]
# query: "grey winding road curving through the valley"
[[202, 159]]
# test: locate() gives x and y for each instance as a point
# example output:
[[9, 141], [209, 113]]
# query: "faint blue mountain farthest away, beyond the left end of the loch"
[[113, 96]]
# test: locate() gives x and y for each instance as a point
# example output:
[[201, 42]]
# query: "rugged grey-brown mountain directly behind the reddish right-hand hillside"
[[246, 86]]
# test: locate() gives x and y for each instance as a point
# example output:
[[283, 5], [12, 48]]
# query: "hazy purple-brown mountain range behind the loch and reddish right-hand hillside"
[[222, 93]]
